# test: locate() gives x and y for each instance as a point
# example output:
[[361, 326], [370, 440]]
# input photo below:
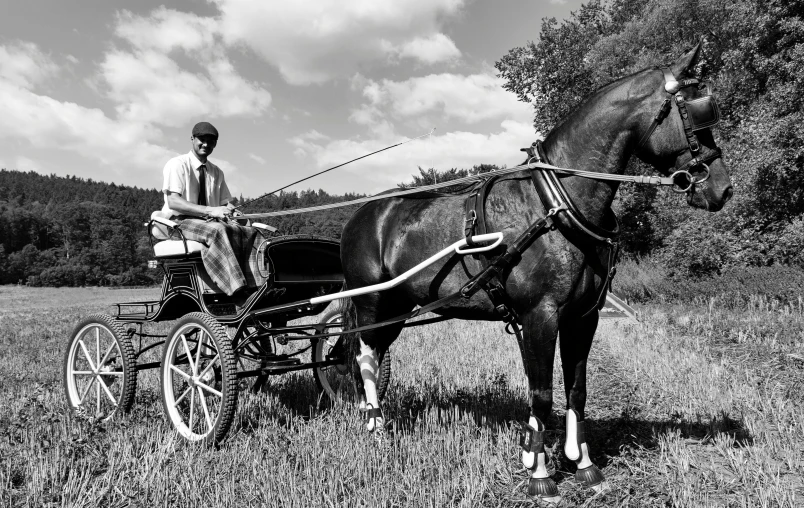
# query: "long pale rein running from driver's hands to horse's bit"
[[638, 179]]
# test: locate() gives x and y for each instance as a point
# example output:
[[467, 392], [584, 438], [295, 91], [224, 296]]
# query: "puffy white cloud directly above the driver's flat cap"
[[148, 84]]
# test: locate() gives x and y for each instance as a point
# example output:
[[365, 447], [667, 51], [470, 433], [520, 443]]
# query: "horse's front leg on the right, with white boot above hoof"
[[576, 341]]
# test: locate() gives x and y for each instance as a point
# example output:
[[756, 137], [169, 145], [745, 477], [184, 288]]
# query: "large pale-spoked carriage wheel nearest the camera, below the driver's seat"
[[199, 384]]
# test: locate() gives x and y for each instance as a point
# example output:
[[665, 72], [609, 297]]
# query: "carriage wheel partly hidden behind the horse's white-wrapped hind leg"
[[336, 381]]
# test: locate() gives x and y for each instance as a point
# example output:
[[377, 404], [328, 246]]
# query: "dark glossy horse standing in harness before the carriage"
[[558, 280]]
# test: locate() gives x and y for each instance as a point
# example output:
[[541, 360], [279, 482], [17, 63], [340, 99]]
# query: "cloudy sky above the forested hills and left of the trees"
[[110, 89]]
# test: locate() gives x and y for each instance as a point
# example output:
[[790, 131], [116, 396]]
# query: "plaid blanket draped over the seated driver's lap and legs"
[[230, 256]]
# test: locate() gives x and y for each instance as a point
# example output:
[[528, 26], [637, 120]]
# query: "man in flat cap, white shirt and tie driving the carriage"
[[197, 197]]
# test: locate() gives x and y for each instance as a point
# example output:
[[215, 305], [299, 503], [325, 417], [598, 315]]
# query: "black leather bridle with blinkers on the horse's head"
[[696, 114]]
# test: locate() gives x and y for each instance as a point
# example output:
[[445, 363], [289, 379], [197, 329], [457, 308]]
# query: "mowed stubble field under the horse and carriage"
[[693, 406]]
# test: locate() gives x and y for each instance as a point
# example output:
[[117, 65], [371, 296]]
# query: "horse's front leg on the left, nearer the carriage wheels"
[[540, 327]]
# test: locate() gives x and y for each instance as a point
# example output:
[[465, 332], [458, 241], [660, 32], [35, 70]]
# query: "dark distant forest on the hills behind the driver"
[[70, 231]]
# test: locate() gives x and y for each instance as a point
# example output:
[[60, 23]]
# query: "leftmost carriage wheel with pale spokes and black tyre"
[[100, 374]]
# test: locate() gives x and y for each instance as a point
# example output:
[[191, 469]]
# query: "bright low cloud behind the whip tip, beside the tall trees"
[[464, 99]]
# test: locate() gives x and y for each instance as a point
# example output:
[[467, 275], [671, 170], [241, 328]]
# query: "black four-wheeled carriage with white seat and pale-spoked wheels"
[[215, 342]]
